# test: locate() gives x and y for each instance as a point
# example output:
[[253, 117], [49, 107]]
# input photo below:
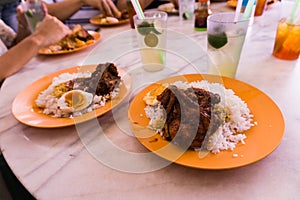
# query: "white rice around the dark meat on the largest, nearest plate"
[[230, 132]]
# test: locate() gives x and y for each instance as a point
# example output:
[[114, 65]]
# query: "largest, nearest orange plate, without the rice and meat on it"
[[261, 139]]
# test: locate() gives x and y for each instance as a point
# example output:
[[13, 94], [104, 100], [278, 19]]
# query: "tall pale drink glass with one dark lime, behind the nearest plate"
[[225, 42]]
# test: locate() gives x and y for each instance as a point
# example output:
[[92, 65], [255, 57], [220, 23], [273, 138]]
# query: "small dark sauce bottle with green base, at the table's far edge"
[[202, 11]]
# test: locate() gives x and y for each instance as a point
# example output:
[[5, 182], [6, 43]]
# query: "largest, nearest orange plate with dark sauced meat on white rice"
[[206, 121]]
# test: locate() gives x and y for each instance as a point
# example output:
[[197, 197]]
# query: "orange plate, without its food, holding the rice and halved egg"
[[26, 111]]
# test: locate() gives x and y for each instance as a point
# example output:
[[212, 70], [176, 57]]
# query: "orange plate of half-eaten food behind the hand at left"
[[78, 40]]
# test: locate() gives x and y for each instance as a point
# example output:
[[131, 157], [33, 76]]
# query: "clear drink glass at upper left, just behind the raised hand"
[[34, 13]]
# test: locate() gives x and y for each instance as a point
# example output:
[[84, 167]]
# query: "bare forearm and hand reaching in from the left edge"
[[49, 31]]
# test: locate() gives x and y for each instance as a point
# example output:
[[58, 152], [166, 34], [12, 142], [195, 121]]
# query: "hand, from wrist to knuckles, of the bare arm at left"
[[51, 30]]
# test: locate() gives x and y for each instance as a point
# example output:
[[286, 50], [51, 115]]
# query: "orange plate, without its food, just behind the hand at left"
[[96, 35]]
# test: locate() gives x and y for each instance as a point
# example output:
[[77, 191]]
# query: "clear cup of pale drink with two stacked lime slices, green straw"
[[151, 35]]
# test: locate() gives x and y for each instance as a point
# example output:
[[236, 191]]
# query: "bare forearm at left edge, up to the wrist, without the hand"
[[25, 50]]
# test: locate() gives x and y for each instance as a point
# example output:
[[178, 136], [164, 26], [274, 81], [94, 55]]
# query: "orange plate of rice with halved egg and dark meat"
[[71, 96]]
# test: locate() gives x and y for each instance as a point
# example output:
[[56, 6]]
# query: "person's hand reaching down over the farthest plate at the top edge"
[[106, 7]]
